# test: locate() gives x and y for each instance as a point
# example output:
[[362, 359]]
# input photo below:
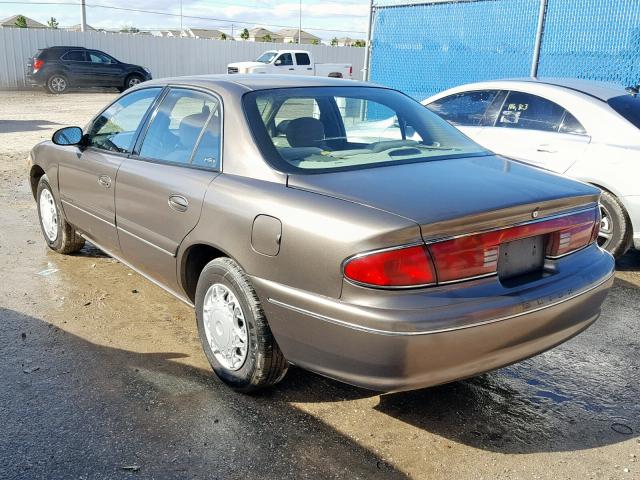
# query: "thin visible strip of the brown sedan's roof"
[[260, 82]]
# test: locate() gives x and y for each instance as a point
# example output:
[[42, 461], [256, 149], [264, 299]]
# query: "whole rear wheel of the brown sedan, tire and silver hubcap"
[[233, 329]]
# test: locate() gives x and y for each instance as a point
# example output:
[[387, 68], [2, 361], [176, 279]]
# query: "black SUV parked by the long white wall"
[[58, 68]]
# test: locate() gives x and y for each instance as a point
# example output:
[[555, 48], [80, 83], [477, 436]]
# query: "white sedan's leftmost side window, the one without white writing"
[[464, 109]]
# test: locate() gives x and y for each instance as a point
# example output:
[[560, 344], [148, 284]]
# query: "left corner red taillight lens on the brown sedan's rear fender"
[[400, 267]]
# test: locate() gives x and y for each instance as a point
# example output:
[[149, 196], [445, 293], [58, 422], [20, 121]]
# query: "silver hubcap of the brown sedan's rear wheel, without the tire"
[[225, 326]]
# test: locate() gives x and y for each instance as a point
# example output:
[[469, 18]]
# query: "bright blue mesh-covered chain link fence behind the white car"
[[424, 47]]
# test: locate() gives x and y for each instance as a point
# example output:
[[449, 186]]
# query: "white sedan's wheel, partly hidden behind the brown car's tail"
[[615, 228]]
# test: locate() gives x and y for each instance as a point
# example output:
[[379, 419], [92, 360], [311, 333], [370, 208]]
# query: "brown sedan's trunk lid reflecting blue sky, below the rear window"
[[455, 196]]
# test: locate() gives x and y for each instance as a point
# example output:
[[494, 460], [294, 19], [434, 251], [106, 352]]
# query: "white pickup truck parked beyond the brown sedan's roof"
[[291, 62]]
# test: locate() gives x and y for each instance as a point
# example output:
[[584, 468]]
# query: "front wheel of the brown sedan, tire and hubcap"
[[59, 235]]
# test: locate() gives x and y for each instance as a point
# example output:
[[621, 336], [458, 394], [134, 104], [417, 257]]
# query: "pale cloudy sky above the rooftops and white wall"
[[330, 15]]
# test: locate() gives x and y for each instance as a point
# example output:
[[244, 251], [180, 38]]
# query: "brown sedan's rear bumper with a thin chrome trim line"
[[406, 347]]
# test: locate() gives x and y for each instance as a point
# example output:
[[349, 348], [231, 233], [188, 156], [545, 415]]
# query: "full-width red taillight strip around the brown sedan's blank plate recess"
[[469, 256]]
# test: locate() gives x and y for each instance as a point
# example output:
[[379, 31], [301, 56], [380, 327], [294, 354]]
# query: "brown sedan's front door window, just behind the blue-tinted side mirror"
[[115, 128]]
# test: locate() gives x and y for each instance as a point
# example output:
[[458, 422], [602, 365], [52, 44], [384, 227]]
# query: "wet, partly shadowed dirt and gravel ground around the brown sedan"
[[104, 377]]
